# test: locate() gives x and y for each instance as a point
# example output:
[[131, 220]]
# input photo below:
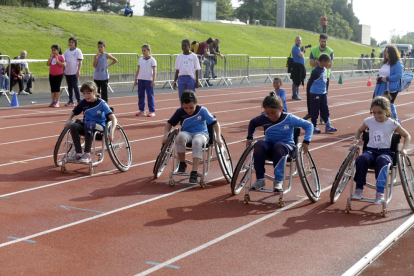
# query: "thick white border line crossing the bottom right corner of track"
[[380, 248]]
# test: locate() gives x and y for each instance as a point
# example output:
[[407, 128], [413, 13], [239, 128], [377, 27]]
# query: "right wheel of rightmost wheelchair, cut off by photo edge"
[[407, 178]]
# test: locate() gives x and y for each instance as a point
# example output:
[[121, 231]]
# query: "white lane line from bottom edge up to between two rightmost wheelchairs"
[[223, 237]]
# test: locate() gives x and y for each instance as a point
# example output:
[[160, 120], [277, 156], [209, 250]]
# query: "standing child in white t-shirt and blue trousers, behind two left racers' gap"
[[145, 80]]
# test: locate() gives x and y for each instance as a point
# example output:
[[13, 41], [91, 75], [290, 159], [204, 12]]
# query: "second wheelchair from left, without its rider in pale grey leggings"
[[168, 151]]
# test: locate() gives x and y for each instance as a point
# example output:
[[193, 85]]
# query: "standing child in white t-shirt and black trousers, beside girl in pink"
[[73, 57]]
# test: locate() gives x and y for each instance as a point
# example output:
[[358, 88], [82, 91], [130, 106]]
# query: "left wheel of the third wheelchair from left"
[[242, 174]]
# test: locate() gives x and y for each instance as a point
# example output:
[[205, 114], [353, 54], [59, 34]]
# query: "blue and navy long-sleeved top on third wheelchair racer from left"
[[282, 130]]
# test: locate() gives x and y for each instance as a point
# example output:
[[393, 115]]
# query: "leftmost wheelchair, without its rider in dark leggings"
[[119, 148]]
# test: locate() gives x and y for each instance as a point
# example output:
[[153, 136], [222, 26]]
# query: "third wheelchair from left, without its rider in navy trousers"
[[302, 165]]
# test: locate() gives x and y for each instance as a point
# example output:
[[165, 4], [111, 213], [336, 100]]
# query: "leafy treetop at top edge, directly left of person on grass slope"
[[95, 5]]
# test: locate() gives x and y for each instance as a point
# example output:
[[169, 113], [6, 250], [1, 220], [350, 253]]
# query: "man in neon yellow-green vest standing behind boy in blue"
[[314, 62]]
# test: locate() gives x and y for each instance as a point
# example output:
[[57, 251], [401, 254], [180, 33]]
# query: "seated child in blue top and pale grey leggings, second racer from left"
[[193, 119]]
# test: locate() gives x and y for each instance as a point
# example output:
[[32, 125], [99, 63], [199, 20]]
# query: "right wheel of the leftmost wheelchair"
[[119, 149]]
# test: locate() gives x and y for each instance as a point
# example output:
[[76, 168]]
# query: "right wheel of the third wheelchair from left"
[[308, 174]]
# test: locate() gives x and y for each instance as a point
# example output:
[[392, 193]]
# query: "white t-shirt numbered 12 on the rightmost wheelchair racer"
[[380, 134]]
